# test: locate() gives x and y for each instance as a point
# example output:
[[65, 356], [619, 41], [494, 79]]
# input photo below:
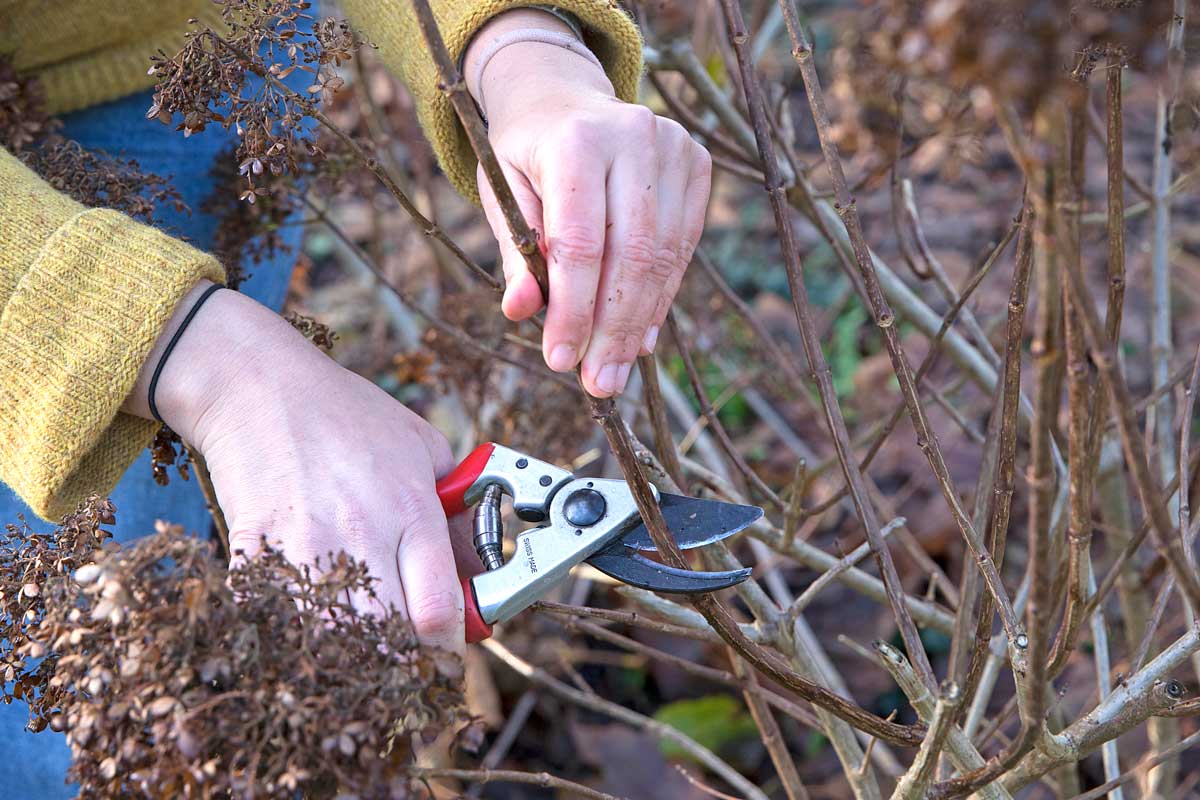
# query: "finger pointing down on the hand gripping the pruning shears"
[[424, 562]]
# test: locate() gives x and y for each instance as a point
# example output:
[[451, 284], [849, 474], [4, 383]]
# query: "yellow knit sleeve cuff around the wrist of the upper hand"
[[392, 26]]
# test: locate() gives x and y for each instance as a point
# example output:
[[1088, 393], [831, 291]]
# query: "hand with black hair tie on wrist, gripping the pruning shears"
[[314, 458]]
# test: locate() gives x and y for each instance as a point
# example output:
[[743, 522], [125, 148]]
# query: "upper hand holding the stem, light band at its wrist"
[[616, 194]]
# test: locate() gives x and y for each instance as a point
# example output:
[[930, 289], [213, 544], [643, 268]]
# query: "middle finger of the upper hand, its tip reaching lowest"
[[634, 269]]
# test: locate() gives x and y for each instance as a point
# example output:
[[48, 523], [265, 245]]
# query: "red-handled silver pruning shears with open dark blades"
[[579, 520]]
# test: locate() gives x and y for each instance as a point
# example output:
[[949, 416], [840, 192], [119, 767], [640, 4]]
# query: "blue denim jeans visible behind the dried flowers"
[[34, 766]]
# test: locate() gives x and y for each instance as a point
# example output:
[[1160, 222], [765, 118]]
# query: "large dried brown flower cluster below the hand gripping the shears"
[[175, 677]]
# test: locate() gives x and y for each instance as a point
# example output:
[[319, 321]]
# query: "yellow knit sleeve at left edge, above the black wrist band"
[[85, 293]]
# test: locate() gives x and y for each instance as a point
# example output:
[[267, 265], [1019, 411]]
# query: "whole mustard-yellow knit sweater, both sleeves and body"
[[85, 293]]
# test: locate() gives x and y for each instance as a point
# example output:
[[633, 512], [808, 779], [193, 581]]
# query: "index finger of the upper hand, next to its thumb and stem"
[[574, 213]]
